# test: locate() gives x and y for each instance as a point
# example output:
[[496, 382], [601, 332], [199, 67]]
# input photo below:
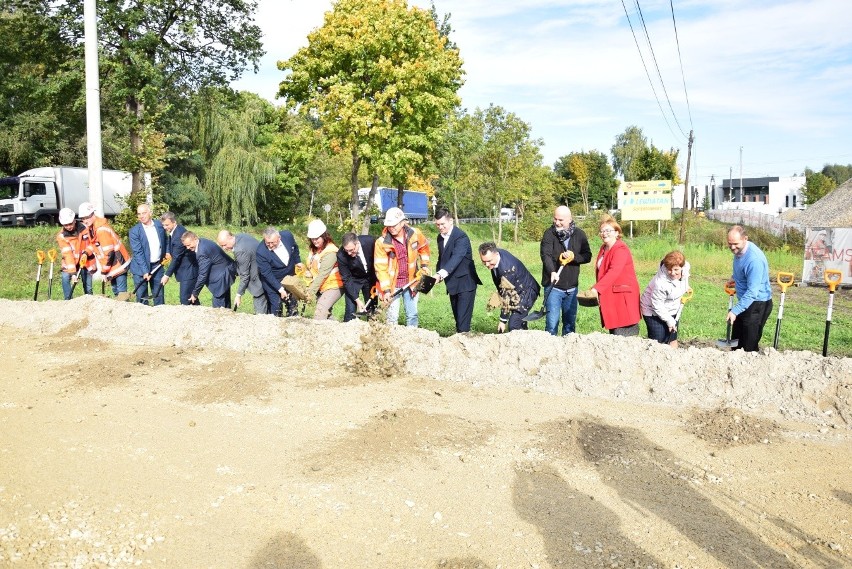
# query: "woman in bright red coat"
[[617, 288]]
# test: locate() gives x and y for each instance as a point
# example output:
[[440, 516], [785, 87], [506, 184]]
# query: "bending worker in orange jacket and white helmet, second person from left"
[[106, 250]]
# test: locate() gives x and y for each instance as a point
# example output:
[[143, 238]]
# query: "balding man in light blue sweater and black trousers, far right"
[[754, 291]]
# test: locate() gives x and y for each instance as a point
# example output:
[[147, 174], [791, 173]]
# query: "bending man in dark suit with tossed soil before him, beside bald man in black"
[[514, 283]]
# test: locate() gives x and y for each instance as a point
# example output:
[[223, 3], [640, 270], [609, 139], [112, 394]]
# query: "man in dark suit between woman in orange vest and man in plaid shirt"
[[355, 264]]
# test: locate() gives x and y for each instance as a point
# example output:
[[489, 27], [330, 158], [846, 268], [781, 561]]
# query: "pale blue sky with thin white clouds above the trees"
[[764, 85]]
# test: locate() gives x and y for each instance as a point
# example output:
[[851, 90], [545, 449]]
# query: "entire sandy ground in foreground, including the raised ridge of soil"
[[178, 437]]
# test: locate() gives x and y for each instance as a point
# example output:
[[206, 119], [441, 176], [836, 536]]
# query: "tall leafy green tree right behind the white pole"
[[155, 53]]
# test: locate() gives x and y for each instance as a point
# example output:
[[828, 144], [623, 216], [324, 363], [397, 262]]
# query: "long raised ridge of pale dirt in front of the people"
[[791, 385]]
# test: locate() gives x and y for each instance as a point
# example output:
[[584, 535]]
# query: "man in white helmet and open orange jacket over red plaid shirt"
[[401, 255]]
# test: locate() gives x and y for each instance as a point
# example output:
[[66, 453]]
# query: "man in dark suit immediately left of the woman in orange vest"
[[277, 257]]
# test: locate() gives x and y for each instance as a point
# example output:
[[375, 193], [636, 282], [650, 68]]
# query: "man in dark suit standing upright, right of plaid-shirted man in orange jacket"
[[456, 269]]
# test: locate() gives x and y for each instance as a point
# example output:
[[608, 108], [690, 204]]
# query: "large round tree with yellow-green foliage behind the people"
[[381, 81]]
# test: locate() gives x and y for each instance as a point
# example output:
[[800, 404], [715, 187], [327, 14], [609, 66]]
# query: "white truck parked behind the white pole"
[[36, 196]]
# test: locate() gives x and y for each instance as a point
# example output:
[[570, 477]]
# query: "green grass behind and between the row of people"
[[702, 323]]
